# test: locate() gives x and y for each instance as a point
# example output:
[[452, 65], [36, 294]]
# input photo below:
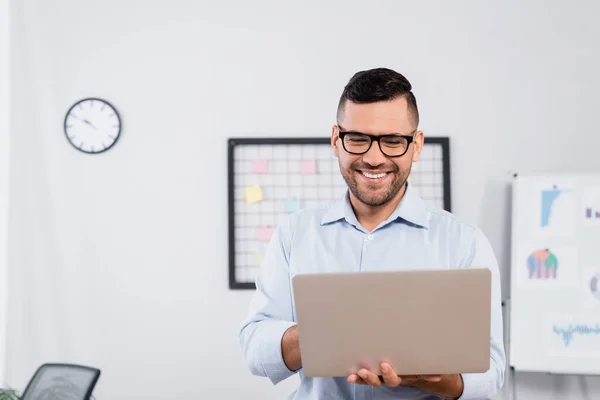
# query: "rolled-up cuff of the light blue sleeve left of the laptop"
[[271, 356]]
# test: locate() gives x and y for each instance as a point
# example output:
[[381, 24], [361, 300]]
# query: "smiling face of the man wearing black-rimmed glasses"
[[374, 178]]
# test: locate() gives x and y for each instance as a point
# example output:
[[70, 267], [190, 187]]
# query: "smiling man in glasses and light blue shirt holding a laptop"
[[379, 224]]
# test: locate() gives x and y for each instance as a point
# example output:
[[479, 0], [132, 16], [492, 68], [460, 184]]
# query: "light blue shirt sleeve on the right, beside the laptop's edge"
[[479, 254]]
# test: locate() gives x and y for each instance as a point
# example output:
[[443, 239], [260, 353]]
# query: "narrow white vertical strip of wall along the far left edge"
[[4, 164]]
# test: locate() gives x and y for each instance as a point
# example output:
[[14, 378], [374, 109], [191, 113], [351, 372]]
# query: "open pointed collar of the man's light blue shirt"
[[411, 209]]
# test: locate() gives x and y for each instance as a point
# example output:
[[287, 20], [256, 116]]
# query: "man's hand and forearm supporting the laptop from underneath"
[[446, 386]]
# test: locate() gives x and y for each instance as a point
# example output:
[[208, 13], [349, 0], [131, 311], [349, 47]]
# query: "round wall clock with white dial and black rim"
[[92, 125]]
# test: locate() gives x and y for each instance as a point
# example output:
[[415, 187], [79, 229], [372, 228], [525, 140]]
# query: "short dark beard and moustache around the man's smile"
[[367, 195]]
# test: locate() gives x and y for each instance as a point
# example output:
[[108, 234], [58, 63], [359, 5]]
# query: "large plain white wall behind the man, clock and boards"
[[126, 253]]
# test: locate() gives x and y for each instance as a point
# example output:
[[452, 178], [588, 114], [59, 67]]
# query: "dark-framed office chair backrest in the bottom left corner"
[[61, 382]]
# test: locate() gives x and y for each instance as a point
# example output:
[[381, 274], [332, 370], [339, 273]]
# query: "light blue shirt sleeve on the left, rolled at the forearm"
[[270, 313]]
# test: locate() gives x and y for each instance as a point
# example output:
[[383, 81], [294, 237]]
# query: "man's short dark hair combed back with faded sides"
[[379, 84]]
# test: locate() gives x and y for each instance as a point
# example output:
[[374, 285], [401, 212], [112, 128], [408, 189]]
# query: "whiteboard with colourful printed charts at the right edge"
[[555, 274]]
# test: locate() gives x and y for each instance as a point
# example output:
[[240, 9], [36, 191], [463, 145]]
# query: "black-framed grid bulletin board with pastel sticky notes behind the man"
[[269, 178]]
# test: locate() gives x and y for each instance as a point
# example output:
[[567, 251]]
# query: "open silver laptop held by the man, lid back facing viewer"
[[421, 322]]
